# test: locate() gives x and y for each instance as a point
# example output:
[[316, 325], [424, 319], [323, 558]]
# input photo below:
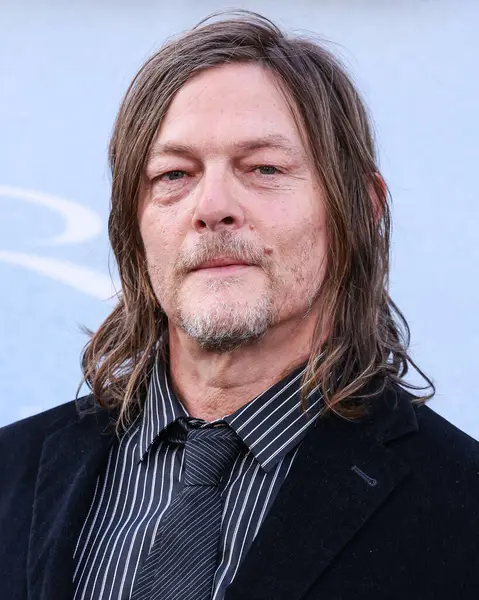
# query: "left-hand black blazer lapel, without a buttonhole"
[[71, 459]]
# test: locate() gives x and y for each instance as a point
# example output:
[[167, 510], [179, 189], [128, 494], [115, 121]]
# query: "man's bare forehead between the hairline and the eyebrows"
[[264, 104]]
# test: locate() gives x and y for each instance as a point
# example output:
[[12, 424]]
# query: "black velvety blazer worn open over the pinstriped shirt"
[[387, 508]]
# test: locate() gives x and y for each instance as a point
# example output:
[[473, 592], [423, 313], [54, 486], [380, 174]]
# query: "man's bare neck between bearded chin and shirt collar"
[[212, 385]]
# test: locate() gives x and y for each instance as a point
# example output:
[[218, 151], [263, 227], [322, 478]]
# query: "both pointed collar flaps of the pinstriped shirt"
[[270, 425]]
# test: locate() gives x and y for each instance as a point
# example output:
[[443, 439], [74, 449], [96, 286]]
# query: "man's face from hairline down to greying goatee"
[[228, 179]]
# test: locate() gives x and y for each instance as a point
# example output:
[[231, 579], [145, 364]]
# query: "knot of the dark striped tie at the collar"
[[210, 451]]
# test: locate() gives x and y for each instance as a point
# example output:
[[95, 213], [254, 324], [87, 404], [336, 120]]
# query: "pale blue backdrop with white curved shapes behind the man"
[[64, 67]]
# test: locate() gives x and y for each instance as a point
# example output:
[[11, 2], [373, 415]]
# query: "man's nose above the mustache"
[[217, 209]]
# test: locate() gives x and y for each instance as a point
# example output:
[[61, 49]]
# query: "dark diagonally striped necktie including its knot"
[[183, 559]]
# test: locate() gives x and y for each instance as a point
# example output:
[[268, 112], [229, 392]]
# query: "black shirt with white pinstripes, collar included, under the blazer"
[[144, 473]]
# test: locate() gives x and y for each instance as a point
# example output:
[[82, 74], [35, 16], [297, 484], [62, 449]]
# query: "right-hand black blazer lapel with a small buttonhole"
[[340, 477]]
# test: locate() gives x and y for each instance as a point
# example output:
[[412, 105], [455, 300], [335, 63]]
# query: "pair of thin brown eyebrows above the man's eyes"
[[276, 141]]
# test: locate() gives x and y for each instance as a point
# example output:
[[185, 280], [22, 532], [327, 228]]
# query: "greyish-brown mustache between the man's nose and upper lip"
[[219, 246]]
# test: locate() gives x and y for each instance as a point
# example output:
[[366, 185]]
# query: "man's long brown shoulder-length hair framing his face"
[[367, 335]]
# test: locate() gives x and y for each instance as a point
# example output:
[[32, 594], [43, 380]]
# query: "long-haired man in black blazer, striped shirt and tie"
[[247, 436]]
